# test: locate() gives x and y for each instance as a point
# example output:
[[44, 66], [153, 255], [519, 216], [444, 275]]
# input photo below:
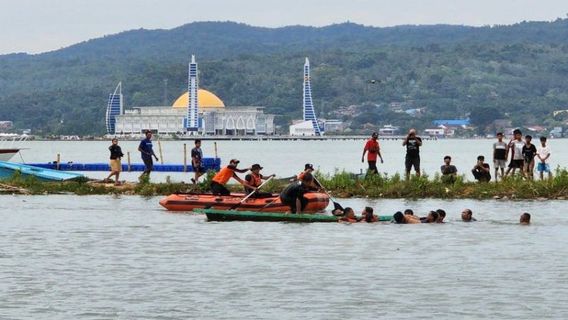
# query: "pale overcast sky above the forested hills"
[[35, 26]]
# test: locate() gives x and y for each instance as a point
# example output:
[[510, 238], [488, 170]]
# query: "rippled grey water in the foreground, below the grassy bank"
[[102, 257]]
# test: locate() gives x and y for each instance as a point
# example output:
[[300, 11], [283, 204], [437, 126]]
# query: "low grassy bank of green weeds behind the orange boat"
[[339, 184]]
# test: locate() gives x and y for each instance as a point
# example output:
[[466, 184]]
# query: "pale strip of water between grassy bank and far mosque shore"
[[285, 158]]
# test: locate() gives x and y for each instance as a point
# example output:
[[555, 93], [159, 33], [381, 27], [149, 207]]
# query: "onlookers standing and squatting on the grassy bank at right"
[[522, 153]]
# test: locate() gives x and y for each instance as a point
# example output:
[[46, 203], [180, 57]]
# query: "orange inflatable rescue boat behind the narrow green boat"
[[317, 202]]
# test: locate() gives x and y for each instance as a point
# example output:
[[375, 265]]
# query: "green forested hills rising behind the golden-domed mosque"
[[518, 71]]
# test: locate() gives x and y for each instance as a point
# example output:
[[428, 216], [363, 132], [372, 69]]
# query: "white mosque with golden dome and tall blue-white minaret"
[[196, 111]]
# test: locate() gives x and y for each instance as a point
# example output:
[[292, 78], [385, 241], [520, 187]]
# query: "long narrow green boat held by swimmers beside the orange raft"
[[231, 215]]
